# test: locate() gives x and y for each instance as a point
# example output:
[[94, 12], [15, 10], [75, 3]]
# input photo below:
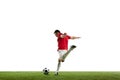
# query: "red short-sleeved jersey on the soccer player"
[[63, 42]]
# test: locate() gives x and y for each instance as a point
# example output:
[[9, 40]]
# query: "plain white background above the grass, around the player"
[[27, 42]]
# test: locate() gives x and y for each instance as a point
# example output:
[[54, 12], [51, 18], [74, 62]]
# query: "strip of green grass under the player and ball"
[[62, 76]]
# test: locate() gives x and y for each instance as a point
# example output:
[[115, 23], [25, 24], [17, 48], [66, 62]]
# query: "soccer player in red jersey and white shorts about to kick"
[[62, 39]]
